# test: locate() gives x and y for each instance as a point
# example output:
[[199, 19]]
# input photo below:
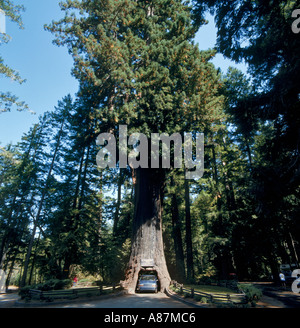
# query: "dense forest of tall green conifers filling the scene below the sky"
[[137, 65]]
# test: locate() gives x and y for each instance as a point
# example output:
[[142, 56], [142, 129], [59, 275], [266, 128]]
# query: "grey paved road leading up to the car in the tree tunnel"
[[158, 300]]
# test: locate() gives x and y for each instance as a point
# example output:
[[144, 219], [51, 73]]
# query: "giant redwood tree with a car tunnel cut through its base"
[[139, 59]]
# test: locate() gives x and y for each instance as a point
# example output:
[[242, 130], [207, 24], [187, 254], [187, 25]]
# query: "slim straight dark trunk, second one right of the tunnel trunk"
[[188, 227]]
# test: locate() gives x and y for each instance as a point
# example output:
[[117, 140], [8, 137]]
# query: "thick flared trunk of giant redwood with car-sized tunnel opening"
[[147, 241]]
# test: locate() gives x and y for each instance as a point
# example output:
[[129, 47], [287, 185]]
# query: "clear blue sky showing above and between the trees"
[[47, 67]]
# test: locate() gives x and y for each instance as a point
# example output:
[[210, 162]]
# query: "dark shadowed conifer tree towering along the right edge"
[[260, 34]]
